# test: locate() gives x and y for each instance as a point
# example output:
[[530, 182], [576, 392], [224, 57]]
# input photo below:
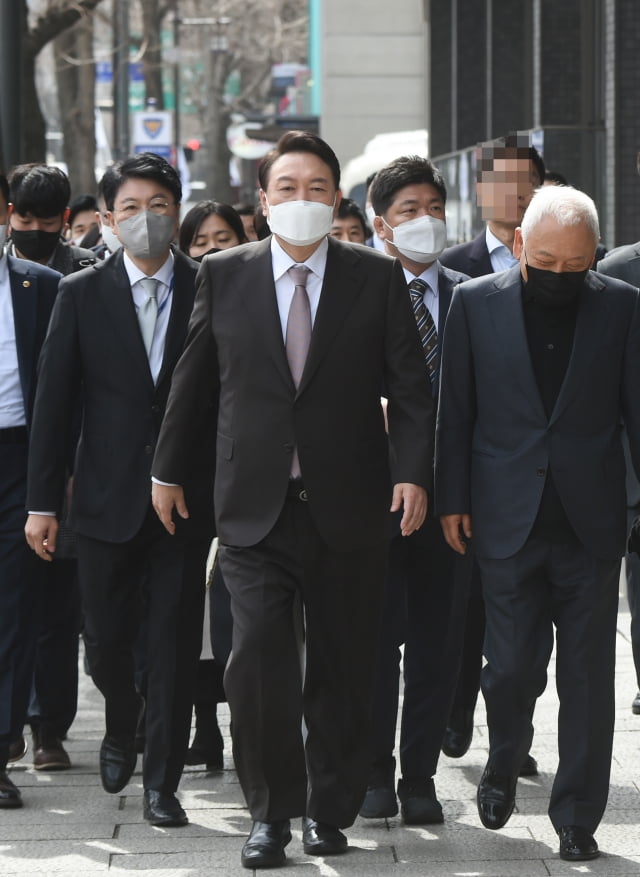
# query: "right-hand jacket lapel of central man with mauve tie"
[[340, 289]]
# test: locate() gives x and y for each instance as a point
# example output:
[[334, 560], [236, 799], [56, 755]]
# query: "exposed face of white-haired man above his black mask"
[[554, 247]]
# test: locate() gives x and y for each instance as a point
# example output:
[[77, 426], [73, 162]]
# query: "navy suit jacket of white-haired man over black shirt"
[[494, 441]]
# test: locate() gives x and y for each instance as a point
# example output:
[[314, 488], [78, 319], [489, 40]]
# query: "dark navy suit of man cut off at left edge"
[[33, 291]]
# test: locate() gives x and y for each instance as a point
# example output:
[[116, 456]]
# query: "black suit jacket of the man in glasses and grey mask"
[[94, 347]]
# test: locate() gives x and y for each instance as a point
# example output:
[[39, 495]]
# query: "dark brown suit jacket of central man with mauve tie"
[[364, 336]]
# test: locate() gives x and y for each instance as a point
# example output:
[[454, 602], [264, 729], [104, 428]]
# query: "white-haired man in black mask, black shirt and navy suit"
[[539, 366]]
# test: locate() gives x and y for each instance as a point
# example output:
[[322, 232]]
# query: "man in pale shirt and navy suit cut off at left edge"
[[27, 293]]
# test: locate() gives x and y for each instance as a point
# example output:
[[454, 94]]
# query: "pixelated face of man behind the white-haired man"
[[505, 191]]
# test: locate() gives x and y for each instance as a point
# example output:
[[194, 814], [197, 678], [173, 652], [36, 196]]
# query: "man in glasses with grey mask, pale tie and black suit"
[[116, 333]]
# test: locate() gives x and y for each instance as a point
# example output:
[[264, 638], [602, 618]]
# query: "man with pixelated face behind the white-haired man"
[[508, 170]]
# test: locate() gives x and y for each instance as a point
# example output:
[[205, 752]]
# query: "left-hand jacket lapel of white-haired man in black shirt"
[[505, 306]]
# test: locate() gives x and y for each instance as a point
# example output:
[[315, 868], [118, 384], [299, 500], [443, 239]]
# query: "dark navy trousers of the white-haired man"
[[545, 585]]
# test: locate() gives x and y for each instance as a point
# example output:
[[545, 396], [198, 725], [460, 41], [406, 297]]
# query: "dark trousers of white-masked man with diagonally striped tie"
[[424, 608]]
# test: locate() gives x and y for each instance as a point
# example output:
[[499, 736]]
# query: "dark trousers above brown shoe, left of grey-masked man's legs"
[[54, 698]]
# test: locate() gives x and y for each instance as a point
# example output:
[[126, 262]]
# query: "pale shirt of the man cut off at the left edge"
[[12, 411]]
